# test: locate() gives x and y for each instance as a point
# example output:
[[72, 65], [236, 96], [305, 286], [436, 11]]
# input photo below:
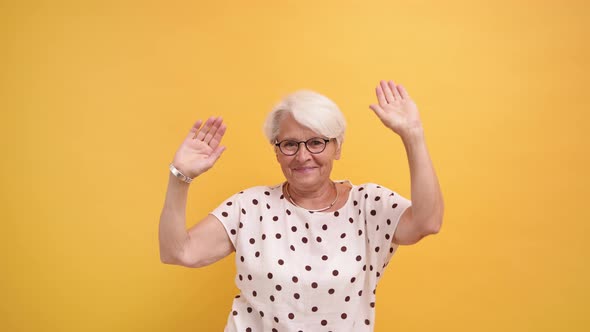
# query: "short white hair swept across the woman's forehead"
[[310, 109]]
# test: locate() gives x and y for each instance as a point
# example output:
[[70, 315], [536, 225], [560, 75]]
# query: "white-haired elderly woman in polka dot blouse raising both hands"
[[310, 251]]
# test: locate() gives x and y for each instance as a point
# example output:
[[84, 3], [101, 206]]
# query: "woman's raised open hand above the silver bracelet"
[[200, 149]]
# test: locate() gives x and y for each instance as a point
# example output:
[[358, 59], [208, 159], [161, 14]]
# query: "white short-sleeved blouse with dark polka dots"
[[309, 271]]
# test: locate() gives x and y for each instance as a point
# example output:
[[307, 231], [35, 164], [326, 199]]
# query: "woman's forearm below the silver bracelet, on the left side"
[[172, 230]]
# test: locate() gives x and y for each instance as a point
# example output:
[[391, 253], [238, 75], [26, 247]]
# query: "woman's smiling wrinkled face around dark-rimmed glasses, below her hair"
[[305, 169]]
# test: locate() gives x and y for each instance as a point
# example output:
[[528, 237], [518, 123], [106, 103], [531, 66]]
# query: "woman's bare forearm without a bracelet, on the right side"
[[427, 200]]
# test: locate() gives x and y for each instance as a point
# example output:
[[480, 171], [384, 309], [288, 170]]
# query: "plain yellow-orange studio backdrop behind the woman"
[[96, 96]]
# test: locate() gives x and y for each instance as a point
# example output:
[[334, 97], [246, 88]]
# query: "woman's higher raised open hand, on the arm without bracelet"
[[396, 109]]
